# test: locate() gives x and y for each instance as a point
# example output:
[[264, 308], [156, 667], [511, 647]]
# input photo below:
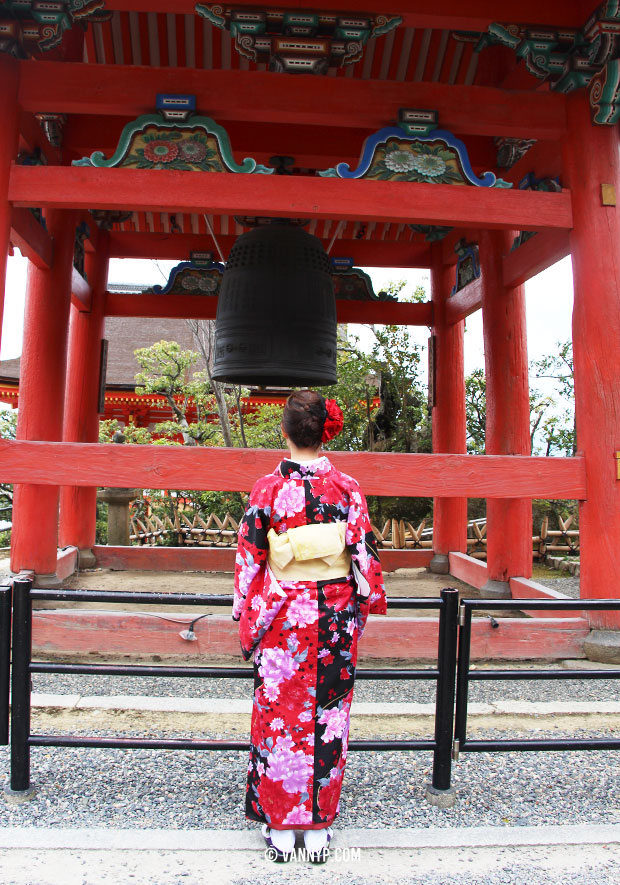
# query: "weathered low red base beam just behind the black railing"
[[139, 633]]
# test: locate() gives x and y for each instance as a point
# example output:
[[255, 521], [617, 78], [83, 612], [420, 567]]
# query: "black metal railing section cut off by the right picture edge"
[[465, 675]]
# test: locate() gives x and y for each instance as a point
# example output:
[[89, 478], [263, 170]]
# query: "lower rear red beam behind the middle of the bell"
[[198, 307]]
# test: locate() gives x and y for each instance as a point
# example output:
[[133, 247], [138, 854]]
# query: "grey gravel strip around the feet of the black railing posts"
[[190, 789]]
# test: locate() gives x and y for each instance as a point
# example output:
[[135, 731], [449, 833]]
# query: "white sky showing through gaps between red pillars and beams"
[[549, 301]]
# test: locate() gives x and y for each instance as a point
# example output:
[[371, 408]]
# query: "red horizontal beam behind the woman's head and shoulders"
[[220, 469]]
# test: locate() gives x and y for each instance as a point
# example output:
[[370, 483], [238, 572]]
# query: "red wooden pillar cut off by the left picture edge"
[[9, 138]]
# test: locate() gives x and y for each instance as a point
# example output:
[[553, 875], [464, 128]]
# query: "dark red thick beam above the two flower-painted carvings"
[[260, 97]]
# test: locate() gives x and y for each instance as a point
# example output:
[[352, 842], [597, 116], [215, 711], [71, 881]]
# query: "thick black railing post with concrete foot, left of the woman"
[[20, 789]]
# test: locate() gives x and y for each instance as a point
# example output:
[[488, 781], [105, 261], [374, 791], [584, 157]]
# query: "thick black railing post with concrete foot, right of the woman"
[[440, 792]]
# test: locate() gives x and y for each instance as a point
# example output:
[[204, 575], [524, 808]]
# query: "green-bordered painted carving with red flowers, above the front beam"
[[197, 144]]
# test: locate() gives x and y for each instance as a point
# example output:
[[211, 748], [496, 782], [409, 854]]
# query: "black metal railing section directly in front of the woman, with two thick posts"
[[23, 667]]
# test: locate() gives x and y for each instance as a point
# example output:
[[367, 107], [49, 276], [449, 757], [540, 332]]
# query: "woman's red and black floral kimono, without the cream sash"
[[304, 638]]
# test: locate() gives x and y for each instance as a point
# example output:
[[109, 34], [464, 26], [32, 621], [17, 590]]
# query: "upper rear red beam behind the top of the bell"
[[365, 253]]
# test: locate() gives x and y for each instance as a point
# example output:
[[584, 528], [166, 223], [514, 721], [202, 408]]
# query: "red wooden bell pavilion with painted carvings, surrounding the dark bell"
[[479, 140]]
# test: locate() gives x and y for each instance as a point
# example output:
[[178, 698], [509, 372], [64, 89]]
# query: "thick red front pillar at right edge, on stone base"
[[591, 162]]
